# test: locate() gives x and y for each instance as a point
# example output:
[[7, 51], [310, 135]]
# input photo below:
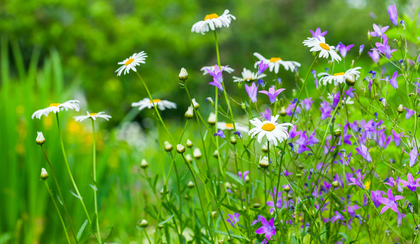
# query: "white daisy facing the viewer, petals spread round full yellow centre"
[[270, 129]]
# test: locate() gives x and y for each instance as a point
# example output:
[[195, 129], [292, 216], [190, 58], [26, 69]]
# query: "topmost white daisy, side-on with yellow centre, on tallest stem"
[[213, 21]]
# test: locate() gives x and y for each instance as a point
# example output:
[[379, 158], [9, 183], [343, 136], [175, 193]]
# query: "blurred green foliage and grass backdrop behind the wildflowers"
[[52, 51]]
